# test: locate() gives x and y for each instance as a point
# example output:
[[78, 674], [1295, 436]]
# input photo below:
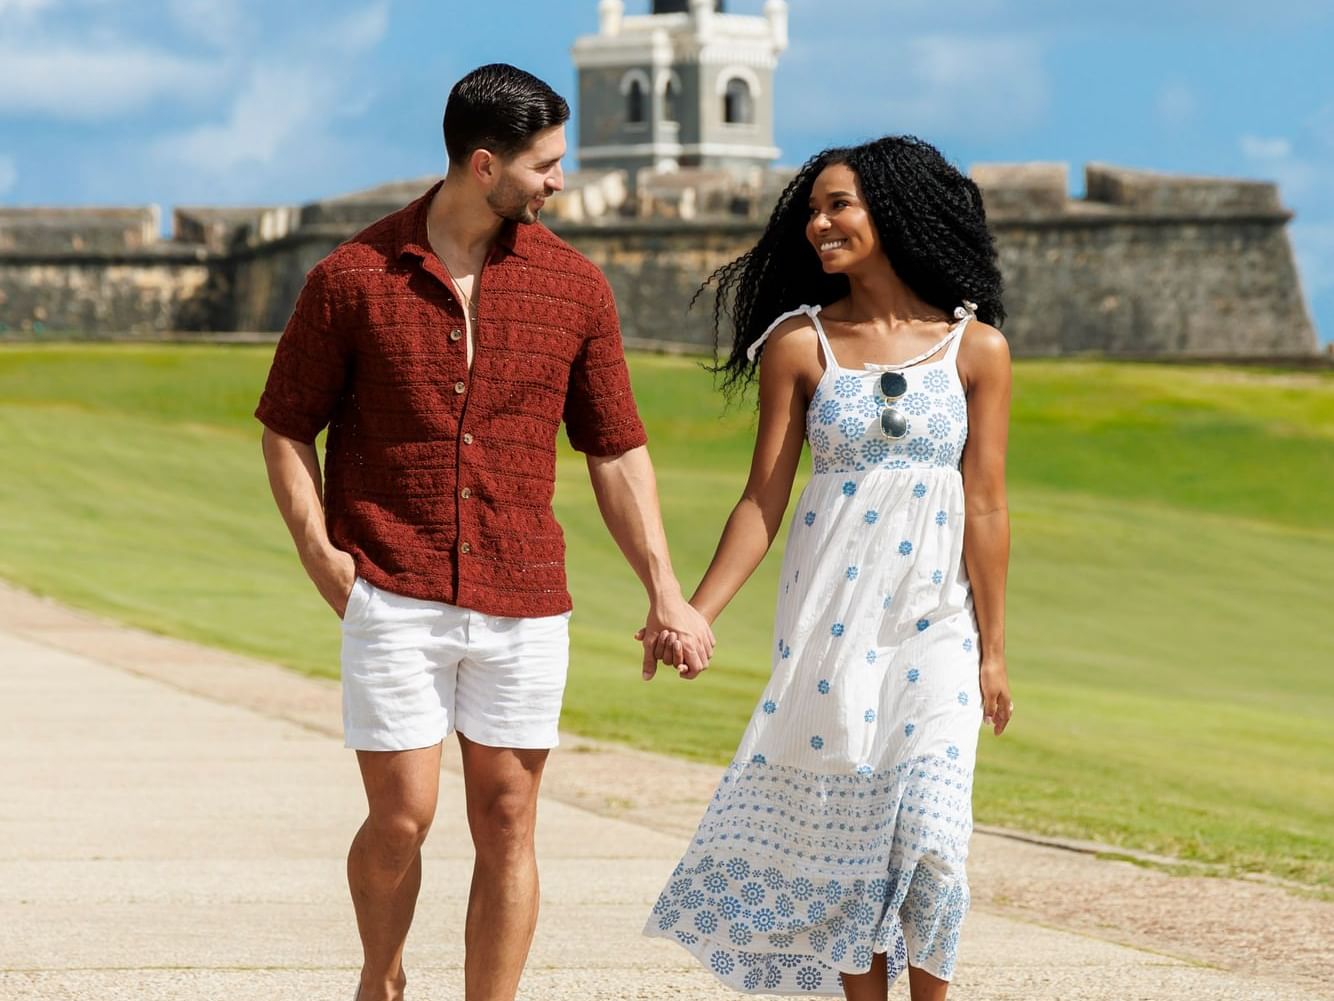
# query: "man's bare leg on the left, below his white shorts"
[[385, 863]]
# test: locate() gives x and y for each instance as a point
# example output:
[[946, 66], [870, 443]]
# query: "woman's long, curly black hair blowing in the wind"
[[932, 228]]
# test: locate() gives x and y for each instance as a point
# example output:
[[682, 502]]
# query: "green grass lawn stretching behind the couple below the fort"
[[1171, 640]]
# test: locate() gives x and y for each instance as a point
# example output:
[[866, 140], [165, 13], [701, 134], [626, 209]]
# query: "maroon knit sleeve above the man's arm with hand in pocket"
[[310, 366]]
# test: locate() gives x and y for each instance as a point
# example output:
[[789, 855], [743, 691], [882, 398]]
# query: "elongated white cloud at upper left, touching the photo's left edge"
[[83, 83]]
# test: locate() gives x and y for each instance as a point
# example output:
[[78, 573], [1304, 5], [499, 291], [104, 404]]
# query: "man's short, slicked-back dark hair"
[[501, 109]]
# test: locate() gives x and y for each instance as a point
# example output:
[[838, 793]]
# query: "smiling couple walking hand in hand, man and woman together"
[[445, 346]]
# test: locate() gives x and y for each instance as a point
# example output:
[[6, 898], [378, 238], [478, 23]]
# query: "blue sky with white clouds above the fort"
[[255, 102]]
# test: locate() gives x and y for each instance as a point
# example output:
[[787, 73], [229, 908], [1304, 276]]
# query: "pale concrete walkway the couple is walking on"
[[157, 843]]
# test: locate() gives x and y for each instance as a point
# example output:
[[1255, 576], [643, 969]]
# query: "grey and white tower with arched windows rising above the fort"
[[685, 86]]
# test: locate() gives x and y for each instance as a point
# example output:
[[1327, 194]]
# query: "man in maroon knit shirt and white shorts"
[[442, 348]]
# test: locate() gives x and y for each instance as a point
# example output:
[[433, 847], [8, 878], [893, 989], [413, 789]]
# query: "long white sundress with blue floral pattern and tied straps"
[[842, 825]]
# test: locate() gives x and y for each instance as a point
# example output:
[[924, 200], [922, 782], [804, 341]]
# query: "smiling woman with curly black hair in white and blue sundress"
[[833, 855]]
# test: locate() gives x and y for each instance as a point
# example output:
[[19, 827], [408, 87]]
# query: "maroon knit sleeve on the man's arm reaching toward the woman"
[[601, 413]]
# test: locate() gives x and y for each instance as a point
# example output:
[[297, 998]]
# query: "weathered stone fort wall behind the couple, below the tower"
[[1145, 265]]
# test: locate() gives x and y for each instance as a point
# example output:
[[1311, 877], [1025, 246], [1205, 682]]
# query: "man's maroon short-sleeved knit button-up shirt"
[[440, 480]]
